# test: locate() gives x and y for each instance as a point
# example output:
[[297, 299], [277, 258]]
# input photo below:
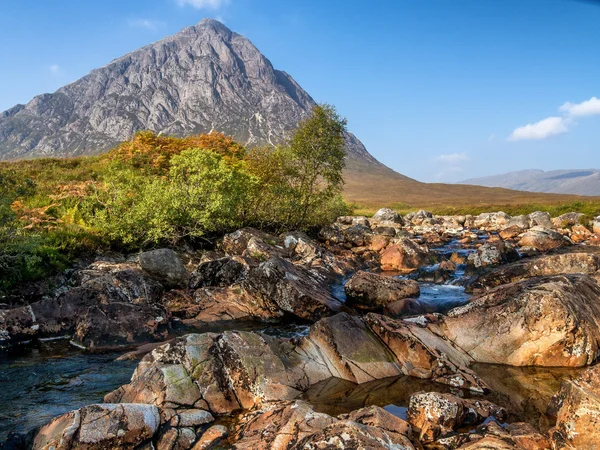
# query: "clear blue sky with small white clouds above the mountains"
[[439, 90]]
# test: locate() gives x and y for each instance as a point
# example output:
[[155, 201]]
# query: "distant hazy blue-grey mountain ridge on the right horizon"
[[579, 182]]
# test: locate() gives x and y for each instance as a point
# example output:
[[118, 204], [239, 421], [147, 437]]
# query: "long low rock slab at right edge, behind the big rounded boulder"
[[567, 260]]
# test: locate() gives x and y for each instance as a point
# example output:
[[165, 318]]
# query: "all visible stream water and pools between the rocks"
[[52, 377]]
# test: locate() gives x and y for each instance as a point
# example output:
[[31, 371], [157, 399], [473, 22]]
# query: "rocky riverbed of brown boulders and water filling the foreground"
[[386, 332]]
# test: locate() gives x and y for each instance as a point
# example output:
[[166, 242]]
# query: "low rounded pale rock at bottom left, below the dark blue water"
[[117, 426]]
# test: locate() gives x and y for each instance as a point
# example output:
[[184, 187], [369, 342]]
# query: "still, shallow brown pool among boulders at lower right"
[[523, 392]]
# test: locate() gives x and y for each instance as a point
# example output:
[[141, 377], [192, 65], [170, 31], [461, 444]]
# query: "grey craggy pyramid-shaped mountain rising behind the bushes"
[[203, 78]]
